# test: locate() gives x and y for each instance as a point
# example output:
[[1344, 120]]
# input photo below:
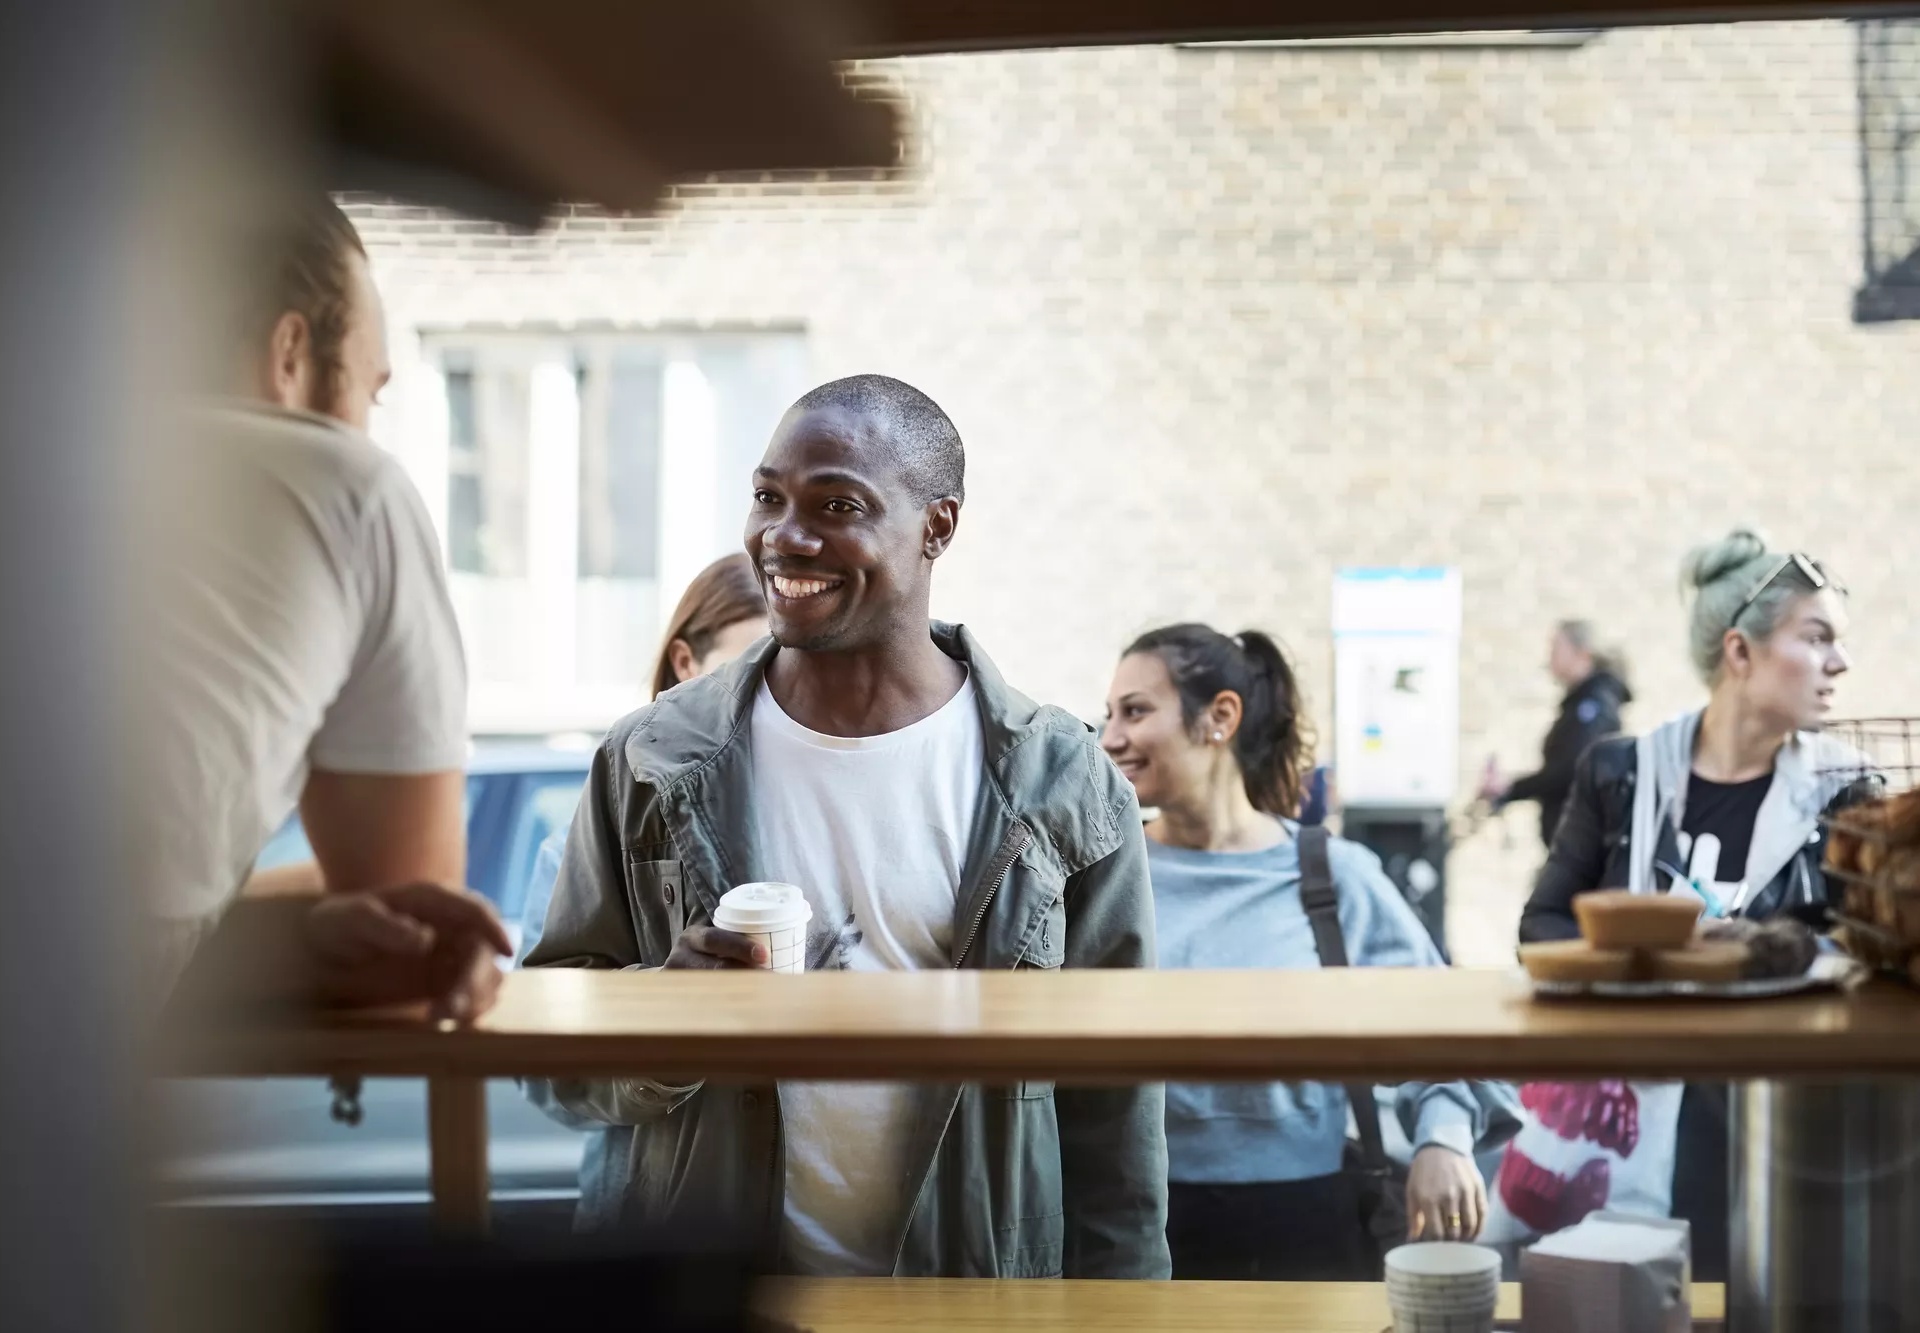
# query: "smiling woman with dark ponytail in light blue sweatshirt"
[[1212, 735]]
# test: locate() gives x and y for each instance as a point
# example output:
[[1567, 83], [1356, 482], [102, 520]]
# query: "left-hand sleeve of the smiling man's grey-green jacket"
[[590, 925]]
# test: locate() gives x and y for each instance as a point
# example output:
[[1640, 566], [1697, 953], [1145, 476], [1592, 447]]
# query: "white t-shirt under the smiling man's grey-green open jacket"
[[875, 833]]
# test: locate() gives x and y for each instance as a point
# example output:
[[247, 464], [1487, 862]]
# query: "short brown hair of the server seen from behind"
[[302, 264]]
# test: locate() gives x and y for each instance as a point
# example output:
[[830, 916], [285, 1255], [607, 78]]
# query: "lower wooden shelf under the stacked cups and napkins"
[[855, 1305]]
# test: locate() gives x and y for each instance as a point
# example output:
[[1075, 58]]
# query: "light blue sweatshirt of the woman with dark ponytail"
[[1243, 911]]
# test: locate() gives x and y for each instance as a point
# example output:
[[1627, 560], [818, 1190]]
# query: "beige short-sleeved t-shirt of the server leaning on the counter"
[[297, 618]]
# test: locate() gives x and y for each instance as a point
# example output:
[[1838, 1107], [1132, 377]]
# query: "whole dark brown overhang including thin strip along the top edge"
[[504, 109]]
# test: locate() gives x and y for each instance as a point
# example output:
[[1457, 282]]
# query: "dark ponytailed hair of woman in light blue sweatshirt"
[[1274, 744]]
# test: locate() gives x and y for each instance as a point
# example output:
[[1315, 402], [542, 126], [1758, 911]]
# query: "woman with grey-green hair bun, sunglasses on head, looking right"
[[1723, 802]]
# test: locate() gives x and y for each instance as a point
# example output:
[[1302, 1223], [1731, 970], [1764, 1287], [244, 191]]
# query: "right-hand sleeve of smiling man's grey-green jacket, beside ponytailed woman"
[[1115, 1140]]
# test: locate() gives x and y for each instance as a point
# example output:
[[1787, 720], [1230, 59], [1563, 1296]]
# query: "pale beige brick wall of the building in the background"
[[1218, 322]]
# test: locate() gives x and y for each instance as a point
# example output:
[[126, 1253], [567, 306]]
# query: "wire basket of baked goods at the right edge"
[[1873, 860]]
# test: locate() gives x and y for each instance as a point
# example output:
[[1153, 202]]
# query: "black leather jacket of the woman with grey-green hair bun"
[[1593, 844]]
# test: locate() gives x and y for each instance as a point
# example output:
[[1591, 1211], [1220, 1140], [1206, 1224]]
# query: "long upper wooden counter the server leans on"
[[1333, 1025]]
